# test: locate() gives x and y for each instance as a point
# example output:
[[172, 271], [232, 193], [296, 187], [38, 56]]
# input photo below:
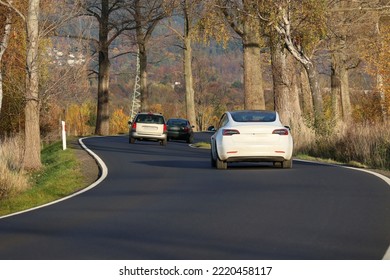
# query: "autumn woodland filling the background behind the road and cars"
[[346, 42]]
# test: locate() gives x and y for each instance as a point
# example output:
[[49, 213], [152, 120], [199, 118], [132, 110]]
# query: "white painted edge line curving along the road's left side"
[[103, 175]]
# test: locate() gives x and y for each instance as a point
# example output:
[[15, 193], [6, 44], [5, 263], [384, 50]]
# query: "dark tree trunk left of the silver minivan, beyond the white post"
[[103, 115]]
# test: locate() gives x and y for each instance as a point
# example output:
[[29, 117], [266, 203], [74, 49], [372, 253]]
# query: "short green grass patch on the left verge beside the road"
[[59, 177]]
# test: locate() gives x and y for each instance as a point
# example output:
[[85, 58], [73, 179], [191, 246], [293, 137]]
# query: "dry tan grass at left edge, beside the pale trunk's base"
[[13, 179]]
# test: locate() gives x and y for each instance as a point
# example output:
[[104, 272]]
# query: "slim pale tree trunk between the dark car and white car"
[[190, 97]]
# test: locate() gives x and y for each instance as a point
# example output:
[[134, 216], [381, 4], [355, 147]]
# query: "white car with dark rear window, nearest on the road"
[[251, 135]]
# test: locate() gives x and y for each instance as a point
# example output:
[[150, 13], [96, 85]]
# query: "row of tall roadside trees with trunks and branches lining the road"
[[294, 34]]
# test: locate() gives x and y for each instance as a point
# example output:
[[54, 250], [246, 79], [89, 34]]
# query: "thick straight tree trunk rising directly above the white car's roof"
[[253, 76]]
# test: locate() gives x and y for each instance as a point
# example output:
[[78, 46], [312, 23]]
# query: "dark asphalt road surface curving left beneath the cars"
[[168, 203]]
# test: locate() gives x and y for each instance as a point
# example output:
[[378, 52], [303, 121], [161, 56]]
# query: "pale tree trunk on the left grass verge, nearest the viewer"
[[32, 151]]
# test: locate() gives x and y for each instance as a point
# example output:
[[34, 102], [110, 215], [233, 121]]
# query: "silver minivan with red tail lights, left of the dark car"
[[148, 126]]
